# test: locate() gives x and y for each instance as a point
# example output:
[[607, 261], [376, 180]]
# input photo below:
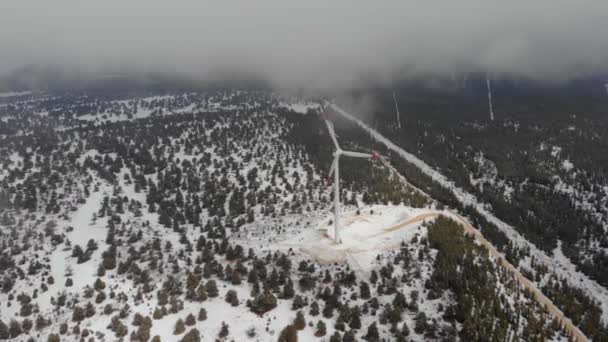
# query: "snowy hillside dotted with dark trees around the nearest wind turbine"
[[205, 215]]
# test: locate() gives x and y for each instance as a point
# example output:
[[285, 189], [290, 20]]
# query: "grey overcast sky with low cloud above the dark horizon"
[[308, 41]]
